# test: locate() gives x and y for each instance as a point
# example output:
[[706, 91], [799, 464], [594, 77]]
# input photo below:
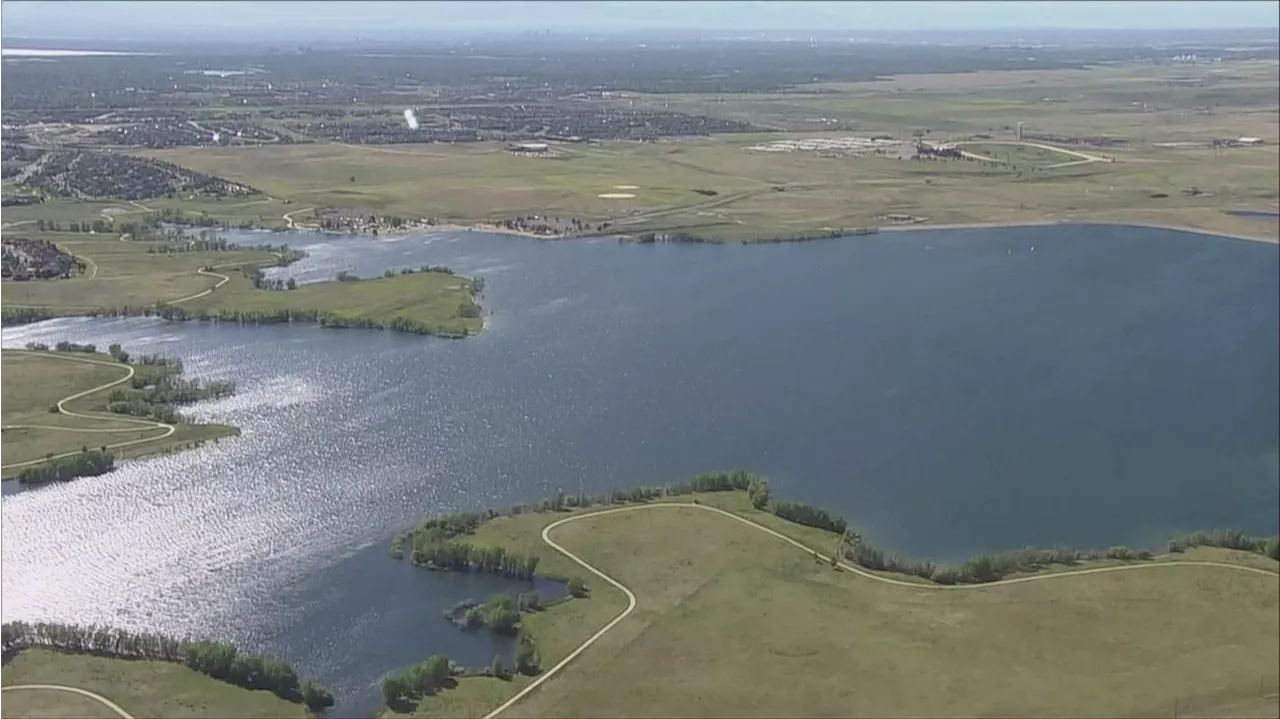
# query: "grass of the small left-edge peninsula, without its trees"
[[36, 382]]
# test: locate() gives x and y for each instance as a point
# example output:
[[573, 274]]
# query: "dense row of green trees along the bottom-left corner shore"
[[218, 661]]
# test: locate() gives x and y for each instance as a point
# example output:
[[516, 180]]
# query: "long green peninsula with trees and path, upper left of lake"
[[145, 268]]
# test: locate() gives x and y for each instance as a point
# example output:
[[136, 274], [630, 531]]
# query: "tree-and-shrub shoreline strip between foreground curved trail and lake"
[[739, 492]]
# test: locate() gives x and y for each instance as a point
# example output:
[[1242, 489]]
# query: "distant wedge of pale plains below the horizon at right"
[[1139, 103]]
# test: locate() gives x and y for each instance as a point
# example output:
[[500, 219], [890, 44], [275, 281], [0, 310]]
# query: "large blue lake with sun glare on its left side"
[[948, 392]]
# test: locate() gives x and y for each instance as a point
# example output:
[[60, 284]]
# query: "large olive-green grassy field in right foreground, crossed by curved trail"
[[732, 622]]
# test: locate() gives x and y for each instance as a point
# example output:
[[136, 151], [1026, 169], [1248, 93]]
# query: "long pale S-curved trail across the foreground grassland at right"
[[860, 571]]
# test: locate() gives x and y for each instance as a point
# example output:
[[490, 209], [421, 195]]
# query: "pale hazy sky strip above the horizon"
[[139, 20]]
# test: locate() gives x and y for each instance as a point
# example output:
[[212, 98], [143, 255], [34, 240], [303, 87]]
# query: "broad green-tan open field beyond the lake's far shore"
[[760, 195]]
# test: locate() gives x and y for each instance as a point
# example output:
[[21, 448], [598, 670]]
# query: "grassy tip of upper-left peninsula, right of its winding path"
[[436, 300]]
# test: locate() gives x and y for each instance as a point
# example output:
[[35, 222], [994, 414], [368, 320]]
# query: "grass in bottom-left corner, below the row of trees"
[[148, 690]]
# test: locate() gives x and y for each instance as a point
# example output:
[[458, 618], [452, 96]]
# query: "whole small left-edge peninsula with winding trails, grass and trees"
[[71, 397]]
